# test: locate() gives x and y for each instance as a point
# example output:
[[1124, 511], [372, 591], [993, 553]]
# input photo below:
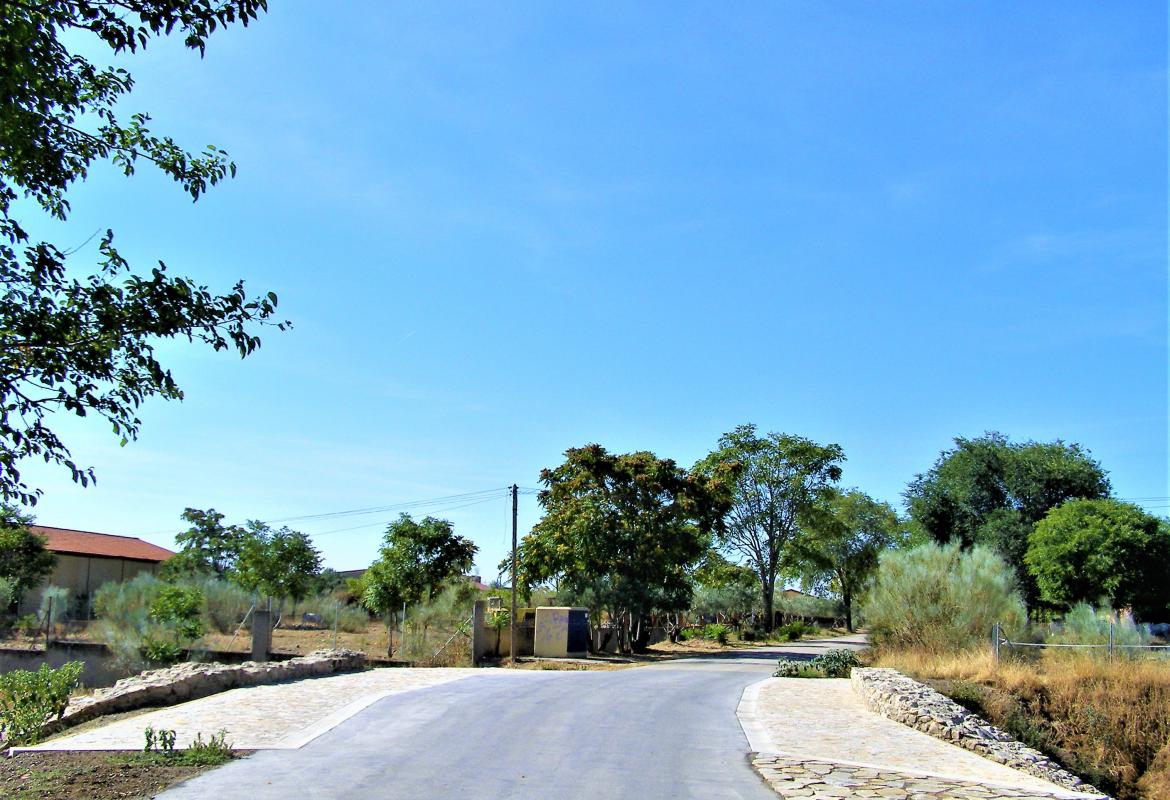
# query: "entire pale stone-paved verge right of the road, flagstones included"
[[806, 730]]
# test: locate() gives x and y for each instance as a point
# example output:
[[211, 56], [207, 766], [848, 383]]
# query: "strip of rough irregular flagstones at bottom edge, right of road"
[[813, 780]]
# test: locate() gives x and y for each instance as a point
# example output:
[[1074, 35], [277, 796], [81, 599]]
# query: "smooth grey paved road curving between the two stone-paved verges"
[[650, 733]]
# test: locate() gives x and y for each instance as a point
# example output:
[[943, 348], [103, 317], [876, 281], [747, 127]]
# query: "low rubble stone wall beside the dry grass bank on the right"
[[891, 694]]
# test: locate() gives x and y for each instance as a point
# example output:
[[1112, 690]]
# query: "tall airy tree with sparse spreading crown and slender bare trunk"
[[781, 479]]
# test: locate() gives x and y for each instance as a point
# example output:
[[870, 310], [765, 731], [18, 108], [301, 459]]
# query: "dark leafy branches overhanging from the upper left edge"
[[77, 343]]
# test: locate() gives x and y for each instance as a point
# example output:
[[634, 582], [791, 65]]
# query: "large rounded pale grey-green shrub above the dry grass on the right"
[[942, 598]]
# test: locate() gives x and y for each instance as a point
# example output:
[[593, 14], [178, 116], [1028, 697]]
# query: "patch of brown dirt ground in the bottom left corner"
[[88, 776]]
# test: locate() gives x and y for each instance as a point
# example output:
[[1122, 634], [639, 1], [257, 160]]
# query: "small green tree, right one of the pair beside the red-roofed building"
[[279, 564]]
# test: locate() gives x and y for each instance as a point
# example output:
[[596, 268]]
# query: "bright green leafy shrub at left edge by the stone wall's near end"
[[30, 700]]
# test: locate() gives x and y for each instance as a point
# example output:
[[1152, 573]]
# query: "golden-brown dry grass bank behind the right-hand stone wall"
[[1109, 721]]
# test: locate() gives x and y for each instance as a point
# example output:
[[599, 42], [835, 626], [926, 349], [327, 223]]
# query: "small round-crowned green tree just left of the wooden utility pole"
[[417, 560]]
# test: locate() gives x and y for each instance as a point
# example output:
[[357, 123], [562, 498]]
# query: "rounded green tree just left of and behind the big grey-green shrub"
[[842, 542]]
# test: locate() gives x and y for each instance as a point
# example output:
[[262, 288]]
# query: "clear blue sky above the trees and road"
[[508, 231]]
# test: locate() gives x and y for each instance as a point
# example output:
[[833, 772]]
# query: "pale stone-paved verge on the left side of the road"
[[278, 716]]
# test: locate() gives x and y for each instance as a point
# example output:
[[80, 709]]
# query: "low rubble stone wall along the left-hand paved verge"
[[192, 681]]
